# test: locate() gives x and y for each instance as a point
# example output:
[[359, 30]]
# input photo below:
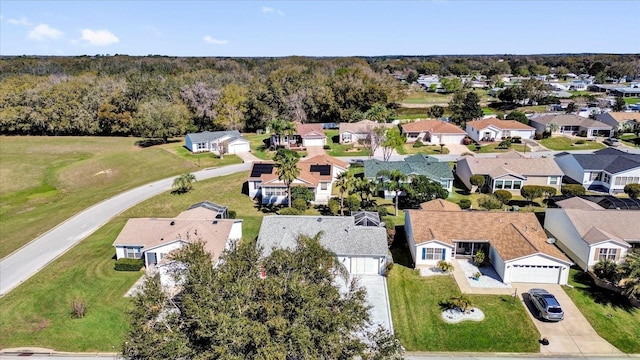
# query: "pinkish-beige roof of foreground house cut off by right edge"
[[596, 225]]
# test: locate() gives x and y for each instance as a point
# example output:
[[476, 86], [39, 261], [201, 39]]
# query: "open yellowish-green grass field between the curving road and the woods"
[[46, 180]]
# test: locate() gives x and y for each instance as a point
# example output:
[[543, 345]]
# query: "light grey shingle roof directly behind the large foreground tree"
[[340, 234]]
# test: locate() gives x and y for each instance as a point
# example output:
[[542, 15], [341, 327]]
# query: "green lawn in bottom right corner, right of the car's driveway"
[[610, 314]]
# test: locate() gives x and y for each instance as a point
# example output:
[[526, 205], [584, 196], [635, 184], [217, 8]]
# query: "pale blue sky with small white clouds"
[[317, 28]]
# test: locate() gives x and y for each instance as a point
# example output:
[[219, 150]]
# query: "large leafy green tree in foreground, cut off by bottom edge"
[[287, 305]]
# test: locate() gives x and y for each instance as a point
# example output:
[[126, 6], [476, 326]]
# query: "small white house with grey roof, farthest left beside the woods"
[[230, 142]]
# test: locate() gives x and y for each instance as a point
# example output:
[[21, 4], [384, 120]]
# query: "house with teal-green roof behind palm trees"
[[418, 164]]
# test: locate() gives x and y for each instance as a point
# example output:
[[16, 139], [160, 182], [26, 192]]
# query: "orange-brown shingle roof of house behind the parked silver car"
[[512, 234]]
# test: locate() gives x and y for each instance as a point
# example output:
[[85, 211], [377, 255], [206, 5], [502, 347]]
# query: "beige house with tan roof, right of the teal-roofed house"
[[509, 171]]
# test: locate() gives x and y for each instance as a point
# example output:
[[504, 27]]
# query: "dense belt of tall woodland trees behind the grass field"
[[161, 97]]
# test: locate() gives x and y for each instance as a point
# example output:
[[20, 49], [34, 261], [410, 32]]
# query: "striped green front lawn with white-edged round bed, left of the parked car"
[[416, 312]]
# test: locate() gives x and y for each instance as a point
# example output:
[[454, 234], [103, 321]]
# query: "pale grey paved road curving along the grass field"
[[31, 258]]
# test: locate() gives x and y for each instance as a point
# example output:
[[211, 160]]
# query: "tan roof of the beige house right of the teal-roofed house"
[[522, 166]]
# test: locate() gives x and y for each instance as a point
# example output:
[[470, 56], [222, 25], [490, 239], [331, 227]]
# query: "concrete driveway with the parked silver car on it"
[[572, 336]]
